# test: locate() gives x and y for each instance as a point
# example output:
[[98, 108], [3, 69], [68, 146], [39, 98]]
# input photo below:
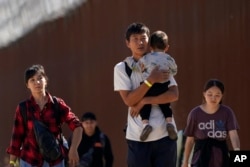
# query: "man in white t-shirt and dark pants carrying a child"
[[158, 150]]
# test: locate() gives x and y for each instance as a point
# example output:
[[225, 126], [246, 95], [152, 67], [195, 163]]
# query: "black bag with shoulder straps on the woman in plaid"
[[49, 146]]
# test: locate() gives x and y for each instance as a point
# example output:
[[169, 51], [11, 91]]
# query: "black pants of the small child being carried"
[[155, 90]]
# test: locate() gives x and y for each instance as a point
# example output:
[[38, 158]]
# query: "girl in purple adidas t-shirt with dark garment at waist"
[[208, 127]]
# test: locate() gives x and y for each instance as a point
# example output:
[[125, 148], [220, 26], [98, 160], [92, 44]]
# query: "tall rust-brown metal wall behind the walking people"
[[208, 39]]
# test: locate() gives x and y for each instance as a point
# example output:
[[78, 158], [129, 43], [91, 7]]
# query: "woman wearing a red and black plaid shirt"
[[39, 106]]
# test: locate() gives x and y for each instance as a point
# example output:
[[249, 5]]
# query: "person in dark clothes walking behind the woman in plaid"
[[95, 147]]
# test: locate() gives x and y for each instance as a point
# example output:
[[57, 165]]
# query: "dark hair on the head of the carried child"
[[158, 40]]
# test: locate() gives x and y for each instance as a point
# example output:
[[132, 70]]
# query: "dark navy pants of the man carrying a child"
[[159, 153]]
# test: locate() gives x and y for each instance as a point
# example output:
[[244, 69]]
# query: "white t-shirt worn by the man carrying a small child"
[[123, 82]]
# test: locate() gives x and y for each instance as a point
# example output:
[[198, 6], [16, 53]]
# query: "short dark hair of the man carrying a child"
[[136, 28]]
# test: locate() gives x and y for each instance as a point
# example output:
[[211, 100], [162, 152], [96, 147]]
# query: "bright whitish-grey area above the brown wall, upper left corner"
[[17, 17]]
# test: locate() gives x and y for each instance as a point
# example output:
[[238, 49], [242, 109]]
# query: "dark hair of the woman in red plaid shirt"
[[31, 71]]
